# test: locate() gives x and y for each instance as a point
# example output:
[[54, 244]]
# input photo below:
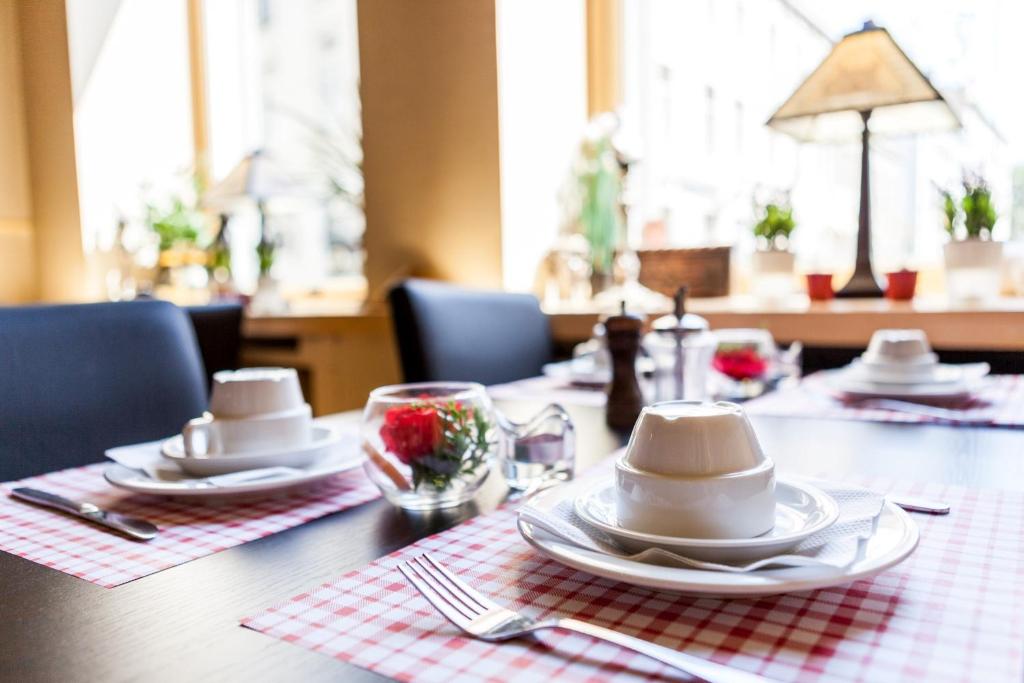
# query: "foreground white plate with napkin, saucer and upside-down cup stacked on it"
[[694, 505]]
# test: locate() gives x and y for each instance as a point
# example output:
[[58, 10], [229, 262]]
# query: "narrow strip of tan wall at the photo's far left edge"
[[18, 274]]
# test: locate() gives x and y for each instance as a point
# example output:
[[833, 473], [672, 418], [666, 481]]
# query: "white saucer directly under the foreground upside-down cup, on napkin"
[[801, 510]]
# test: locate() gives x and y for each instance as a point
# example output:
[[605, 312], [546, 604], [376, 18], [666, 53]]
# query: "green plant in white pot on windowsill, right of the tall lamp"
[[972, 258]]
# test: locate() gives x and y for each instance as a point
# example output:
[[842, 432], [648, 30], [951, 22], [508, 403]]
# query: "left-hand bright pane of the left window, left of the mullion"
[[134, 134]]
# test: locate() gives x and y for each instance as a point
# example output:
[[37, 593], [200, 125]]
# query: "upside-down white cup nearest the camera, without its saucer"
[[696, 471]]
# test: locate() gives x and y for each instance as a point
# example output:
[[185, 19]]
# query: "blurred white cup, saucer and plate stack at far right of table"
[[900, 365]]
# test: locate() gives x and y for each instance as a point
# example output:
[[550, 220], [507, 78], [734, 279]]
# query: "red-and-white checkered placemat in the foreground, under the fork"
[[954, 612]]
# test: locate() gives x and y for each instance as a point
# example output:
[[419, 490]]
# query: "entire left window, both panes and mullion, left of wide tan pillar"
[[279, 76]]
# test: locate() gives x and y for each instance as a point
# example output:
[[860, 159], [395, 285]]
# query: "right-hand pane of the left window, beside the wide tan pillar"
[[283, 78]]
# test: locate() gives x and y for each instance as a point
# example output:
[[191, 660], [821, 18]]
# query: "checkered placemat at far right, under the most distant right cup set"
[[1000, 403]]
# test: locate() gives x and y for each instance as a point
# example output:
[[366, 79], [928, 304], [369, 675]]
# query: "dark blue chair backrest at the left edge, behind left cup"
[[76, 380]]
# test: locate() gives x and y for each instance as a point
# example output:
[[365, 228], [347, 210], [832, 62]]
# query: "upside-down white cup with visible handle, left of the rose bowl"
[[251, 410]]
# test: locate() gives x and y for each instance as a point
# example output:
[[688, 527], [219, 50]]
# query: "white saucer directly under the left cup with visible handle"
[[322, 442]]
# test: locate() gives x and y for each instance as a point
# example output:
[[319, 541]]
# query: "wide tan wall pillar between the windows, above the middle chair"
[[430, 89]]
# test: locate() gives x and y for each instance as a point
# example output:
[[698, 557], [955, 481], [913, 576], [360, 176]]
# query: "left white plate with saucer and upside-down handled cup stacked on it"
[[258, 437]]
